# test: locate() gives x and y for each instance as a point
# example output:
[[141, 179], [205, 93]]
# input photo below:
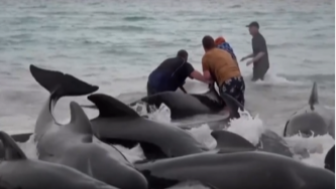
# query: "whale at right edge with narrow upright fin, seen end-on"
[[311, 120]]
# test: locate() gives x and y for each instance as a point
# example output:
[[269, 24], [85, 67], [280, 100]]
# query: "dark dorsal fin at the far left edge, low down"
[[12, 150]]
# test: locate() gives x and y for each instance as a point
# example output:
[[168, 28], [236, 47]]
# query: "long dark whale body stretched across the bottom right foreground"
[[236, 169]]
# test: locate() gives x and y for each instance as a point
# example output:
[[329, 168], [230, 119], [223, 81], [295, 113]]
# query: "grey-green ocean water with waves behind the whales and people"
[[115, 44]]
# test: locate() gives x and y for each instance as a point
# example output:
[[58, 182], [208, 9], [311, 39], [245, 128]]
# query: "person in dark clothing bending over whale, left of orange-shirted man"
[[172, 73]]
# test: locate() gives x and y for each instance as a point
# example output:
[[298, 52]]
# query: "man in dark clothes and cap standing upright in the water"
[[260, 55]]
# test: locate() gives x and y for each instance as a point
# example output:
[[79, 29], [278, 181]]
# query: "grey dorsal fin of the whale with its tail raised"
[[79, 123]]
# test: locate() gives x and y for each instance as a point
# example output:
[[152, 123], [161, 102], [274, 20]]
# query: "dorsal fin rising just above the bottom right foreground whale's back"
[[231, 142]]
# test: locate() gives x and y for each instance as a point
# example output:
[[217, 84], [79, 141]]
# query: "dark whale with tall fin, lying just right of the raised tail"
[[117, 123]]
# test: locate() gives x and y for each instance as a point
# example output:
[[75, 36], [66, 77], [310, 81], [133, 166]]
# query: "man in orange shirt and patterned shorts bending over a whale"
[[219, 66]]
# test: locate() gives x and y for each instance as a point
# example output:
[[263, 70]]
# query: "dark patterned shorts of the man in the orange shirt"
[[234, 87]]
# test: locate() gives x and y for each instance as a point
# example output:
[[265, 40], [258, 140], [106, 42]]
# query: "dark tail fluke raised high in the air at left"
[[60, 83]]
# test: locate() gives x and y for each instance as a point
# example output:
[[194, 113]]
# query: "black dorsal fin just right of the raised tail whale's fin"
[[111, 107]]
